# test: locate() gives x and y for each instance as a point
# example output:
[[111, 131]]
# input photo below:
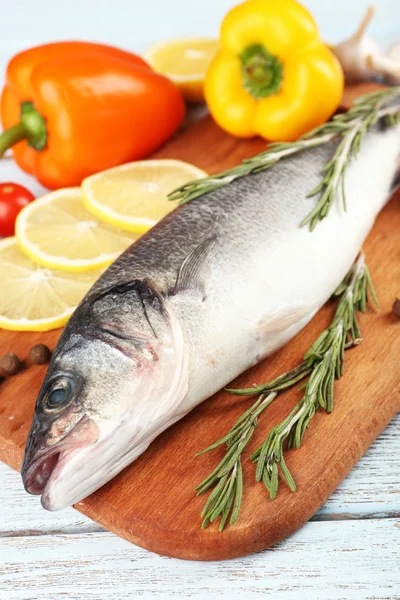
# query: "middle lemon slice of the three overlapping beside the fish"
[[57, 231]]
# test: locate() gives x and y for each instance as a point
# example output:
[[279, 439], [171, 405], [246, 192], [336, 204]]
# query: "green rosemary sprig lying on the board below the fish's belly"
[[322, 364]]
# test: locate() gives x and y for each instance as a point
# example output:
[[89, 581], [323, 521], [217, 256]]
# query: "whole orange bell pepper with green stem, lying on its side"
[[71, 109]]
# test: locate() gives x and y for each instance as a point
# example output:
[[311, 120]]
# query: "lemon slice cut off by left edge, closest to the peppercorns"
[[35, 298]]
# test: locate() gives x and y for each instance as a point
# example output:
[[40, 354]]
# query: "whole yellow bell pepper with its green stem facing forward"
[[273, 76]]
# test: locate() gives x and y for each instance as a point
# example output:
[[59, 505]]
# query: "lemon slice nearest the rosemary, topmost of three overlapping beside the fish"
[[134, 196]]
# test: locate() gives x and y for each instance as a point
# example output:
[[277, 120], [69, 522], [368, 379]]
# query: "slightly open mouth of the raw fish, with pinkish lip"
[[48, 465]]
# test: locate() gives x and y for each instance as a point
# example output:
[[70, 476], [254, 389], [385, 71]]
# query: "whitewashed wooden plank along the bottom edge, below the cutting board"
[[345, 560]]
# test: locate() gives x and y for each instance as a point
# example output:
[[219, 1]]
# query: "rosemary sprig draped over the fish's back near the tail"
[[349, 128]]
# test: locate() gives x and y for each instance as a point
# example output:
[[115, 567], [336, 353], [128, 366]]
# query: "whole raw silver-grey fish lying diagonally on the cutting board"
[[216, 286]]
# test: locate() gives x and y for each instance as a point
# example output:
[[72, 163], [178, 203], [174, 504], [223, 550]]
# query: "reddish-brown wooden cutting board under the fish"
[[152, 502]]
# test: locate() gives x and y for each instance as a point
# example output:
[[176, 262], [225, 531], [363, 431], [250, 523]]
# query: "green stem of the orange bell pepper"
[[32, 128]]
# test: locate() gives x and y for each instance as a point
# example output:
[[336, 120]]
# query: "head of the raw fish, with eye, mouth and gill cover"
[[116, 377]]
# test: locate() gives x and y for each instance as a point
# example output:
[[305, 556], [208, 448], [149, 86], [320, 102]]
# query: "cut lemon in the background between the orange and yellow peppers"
[[186, 62]]
